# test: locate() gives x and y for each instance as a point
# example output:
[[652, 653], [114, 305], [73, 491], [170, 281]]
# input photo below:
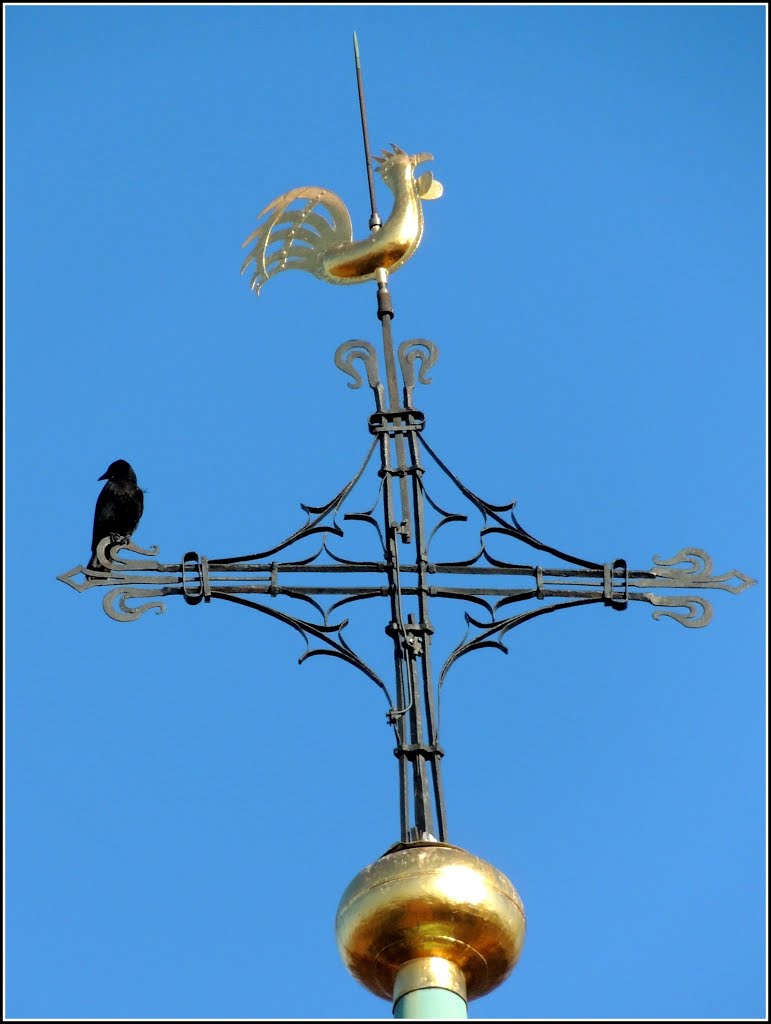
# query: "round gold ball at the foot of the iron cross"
[[431, 900]]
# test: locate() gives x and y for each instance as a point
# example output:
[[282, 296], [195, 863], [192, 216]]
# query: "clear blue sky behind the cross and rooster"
[[185, 803]]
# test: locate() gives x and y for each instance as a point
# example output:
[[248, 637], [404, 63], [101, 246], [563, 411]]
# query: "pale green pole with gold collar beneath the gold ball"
[[431, 989]]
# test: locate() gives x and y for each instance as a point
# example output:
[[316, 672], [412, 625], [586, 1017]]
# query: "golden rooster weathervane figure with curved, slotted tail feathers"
[[302, 239]]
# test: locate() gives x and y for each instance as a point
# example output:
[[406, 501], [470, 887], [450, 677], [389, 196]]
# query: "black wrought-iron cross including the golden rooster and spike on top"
[[309, 567]]
